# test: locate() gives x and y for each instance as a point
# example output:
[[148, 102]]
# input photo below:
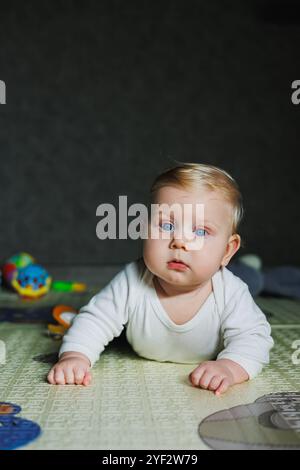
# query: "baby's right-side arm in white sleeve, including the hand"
[[247, 342]]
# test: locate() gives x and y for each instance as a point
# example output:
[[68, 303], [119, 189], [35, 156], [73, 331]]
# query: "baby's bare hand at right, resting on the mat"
[[218, 375]]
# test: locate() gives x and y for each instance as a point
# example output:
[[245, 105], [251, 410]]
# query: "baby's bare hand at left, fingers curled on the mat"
[[72, 368]]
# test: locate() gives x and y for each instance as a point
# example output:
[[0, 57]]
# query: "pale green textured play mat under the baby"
[[135, 403]]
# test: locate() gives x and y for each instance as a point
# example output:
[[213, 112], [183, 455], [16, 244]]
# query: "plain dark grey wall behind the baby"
[[103, 95]]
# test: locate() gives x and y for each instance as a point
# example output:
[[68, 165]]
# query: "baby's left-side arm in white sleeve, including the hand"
[[97, 323]]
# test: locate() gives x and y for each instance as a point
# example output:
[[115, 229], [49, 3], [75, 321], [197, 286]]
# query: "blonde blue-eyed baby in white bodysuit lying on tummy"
[[178, 302]]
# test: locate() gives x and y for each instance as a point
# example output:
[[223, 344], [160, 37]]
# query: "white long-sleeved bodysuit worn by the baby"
[[228, 325]]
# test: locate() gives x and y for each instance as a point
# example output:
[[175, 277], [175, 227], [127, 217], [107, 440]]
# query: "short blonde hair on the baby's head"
[[193, 176]]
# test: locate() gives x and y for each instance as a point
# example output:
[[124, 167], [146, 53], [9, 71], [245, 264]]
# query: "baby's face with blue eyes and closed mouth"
[[200, 243]]
